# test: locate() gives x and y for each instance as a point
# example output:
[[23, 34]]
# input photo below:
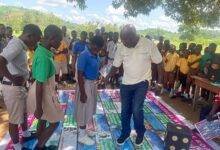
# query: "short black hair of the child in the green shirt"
[[52, 31]]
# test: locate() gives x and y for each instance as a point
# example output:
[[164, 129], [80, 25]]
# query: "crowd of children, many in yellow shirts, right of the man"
[[181, 65]]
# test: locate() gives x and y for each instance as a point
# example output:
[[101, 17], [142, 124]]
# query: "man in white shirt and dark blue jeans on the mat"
[[136, 55]]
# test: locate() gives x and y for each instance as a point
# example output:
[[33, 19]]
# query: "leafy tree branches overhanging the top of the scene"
[[189, 12]]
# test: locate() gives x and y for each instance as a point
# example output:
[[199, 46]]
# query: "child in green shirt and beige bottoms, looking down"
[[42, 99]]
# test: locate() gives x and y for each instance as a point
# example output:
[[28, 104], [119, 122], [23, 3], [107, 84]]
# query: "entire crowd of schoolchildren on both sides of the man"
[[84, 60]]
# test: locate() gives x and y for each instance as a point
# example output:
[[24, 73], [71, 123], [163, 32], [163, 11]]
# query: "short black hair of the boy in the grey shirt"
[[32, 29]]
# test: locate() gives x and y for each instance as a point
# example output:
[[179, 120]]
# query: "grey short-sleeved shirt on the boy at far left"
[[15, 54]]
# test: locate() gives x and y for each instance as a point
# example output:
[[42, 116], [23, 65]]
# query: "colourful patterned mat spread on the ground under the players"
[[107, 125]]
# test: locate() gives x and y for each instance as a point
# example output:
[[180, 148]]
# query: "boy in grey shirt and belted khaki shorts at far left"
[[14, 68]]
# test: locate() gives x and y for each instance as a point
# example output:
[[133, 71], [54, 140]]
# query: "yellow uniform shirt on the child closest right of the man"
[[171, 62]]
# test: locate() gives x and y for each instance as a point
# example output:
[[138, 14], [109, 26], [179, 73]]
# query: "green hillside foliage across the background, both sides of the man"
[[18, 17]]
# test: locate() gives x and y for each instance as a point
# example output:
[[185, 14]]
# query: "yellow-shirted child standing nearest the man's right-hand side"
[[170, 69]]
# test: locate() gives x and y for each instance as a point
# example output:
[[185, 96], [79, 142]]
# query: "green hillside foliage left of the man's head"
[[17, 18]]
